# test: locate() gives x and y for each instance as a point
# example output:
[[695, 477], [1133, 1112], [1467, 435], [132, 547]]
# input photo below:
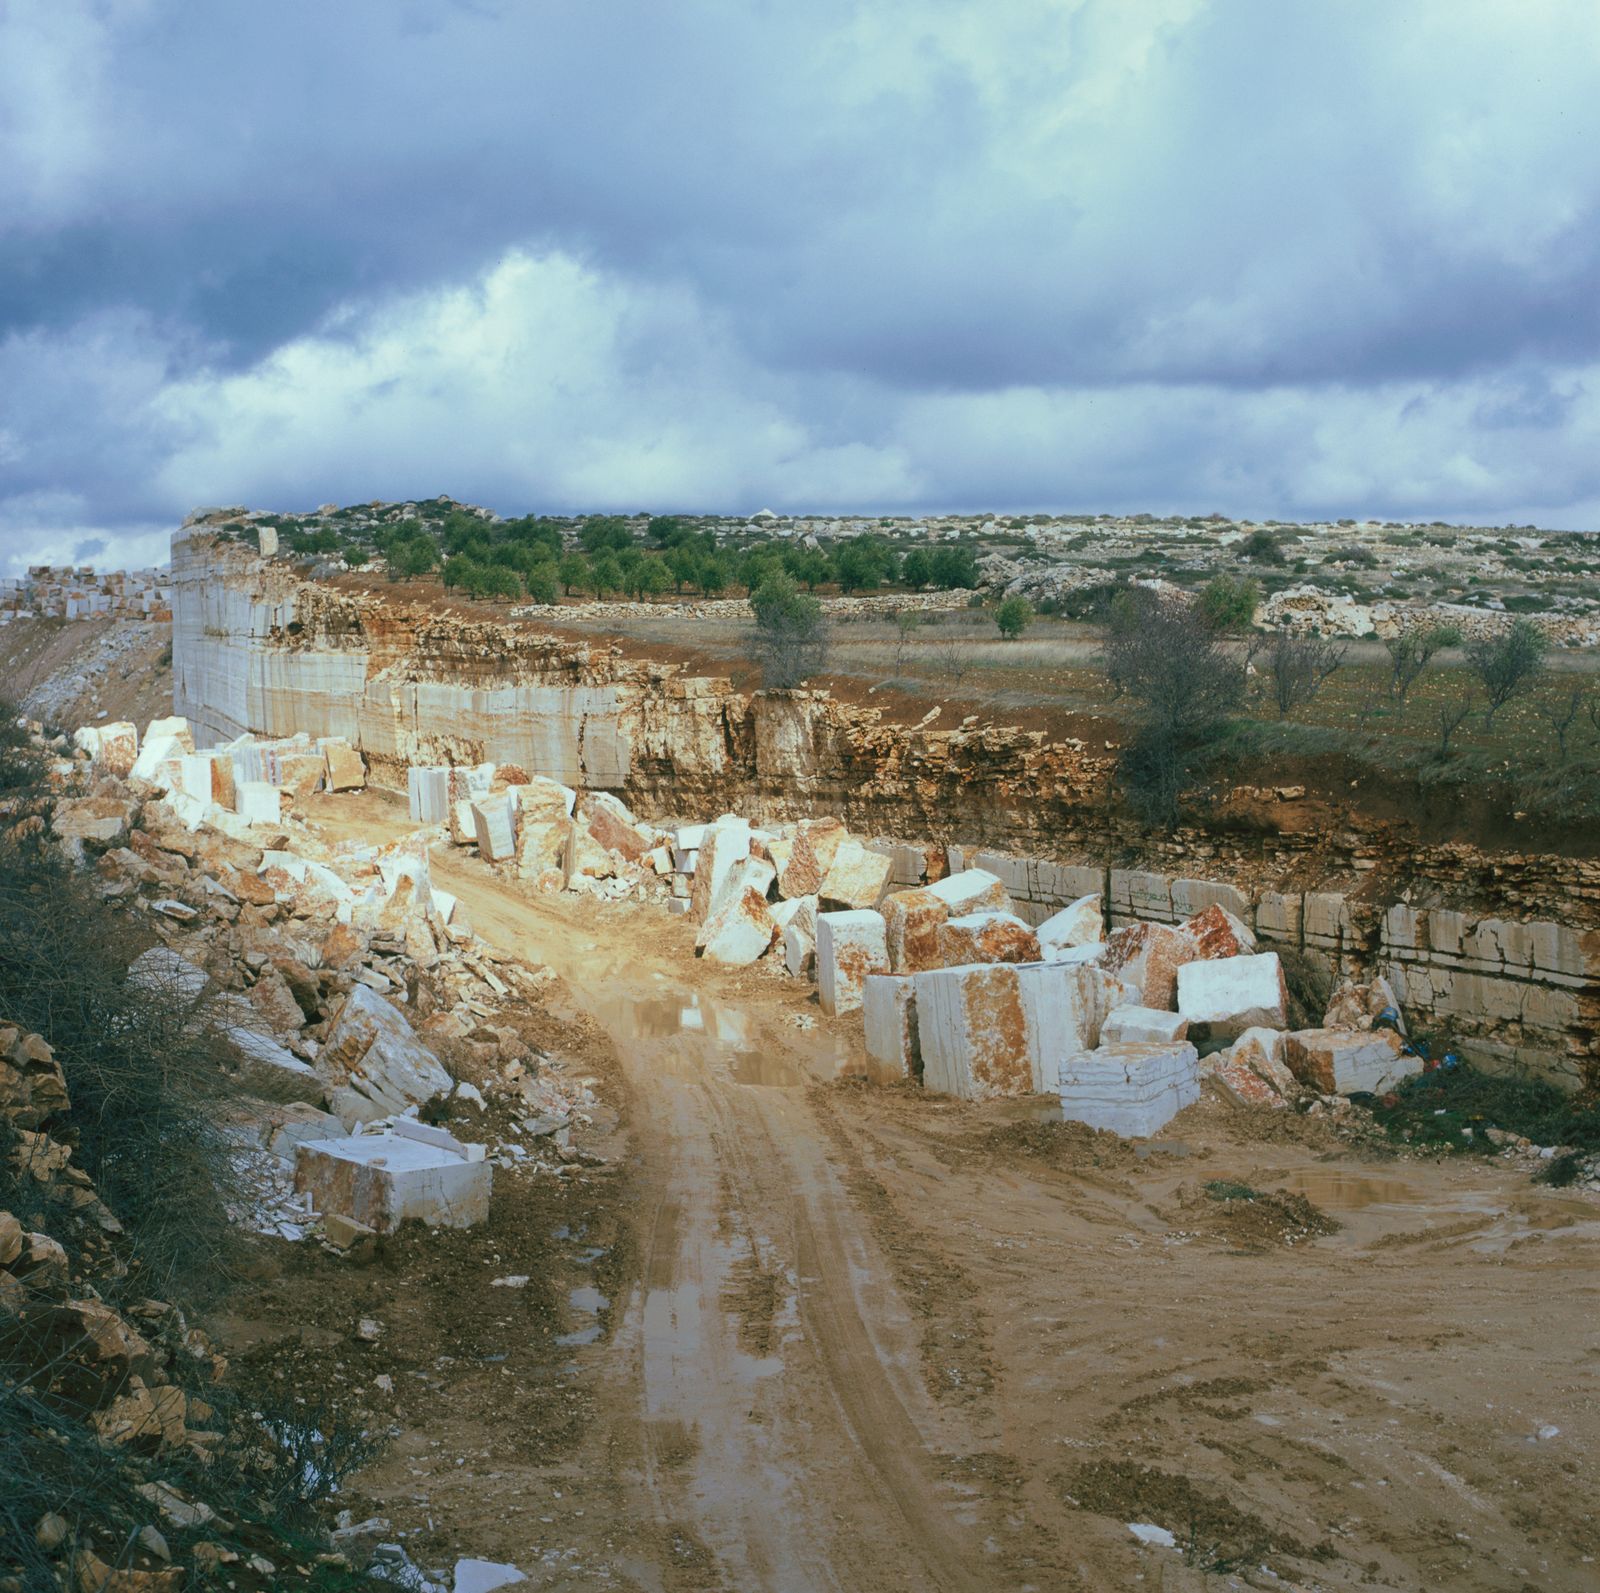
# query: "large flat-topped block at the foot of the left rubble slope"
[[386, 1180]]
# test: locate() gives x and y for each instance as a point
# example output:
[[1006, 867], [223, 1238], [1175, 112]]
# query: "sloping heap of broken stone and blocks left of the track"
[[338, 980]]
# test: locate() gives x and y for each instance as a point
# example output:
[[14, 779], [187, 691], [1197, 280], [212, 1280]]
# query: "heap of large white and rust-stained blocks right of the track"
[[962, 994]]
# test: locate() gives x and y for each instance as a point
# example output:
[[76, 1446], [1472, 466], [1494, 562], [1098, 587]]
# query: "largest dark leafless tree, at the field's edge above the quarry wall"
[[1164, 655]]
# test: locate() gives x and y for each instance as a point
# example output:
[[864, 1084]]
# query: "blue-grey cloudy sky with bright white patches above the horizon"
[[1260, 257]]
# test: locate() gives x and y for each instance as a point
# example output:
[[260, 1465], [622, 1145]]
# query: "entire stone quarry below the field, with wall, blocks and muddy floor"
[[650, 1154]]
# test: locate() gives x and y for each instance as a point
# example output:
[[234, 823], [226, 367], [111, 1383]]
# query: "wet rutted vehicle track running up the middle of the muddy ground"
[[815, 1466]]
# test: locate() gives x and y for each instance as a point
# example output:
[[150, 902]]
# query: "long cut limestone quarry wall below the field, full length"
[[1500, 951]]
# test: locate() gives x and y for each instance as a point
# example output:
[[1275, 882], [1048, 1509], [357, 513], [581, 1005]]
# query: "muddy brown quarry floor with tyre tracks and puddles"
[[874, 1341]]
